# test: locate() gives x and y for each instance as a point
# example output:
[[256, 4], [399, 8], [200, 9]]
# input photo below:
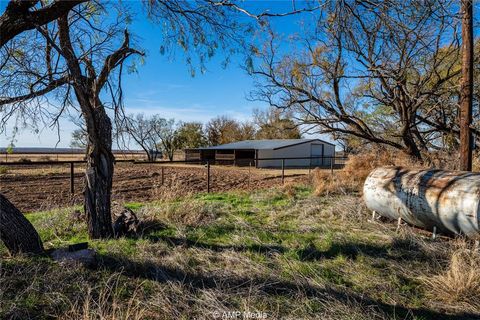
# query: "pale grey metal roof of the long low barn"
[[262, 144]]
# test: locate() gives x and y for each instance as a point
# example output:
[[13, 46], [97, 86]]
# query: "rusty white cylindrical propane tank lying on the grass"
[[447, 200]]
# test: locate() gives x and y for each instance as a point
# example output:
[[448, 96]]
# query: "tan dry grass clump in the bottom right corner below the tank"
[[459, 284]]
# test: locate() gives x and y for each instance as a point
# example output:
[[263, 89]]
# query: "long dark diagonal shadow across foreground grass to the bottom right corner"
[[269, 285]]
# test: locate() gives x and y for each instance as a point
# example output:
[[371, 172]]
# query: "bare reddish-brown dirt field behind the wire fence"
[[34, 188]]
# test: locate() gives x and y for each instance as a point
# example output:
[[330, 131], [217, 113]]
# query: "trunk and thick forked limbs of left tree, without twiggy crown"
[[87, 87]]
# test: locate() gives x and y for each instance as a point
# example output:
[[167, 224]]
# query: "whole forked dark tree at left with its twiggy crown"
[[80, 63]]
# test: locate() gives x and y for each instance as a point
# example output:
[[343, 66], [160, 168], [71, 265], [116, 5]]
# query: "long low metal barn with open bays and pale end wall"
[[267, 153]]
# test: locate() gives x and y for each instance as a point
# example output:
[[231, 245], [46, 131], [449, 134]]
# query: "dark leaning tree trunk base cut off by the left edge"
[[16, 232]]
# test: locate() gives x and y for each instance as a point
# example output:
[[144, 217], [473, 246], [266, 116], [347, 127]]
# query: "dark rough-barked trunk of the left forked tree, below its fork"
[[99, 175]]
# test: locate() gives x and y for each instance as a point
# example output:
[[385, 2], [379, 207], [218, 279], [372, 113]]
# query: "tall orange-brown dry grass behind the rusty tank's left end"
[[356, 170]]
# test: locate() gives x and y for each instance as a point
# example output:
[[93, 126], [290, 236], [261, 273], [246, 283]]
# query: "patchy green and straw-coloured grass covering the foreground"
[[289, 255]]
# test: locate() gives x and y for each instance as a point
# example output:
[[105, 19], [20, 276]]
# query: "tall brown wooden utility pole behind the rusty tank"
[[466, 93]]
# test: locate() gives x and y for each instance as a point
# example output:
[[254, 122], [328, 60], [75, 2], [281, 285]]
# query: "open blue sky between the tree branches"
[[164, 85]]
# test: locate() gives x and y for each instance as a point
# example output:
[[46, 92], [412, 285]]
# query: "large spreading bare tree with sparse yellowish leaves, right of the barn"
[[368, 71]]
